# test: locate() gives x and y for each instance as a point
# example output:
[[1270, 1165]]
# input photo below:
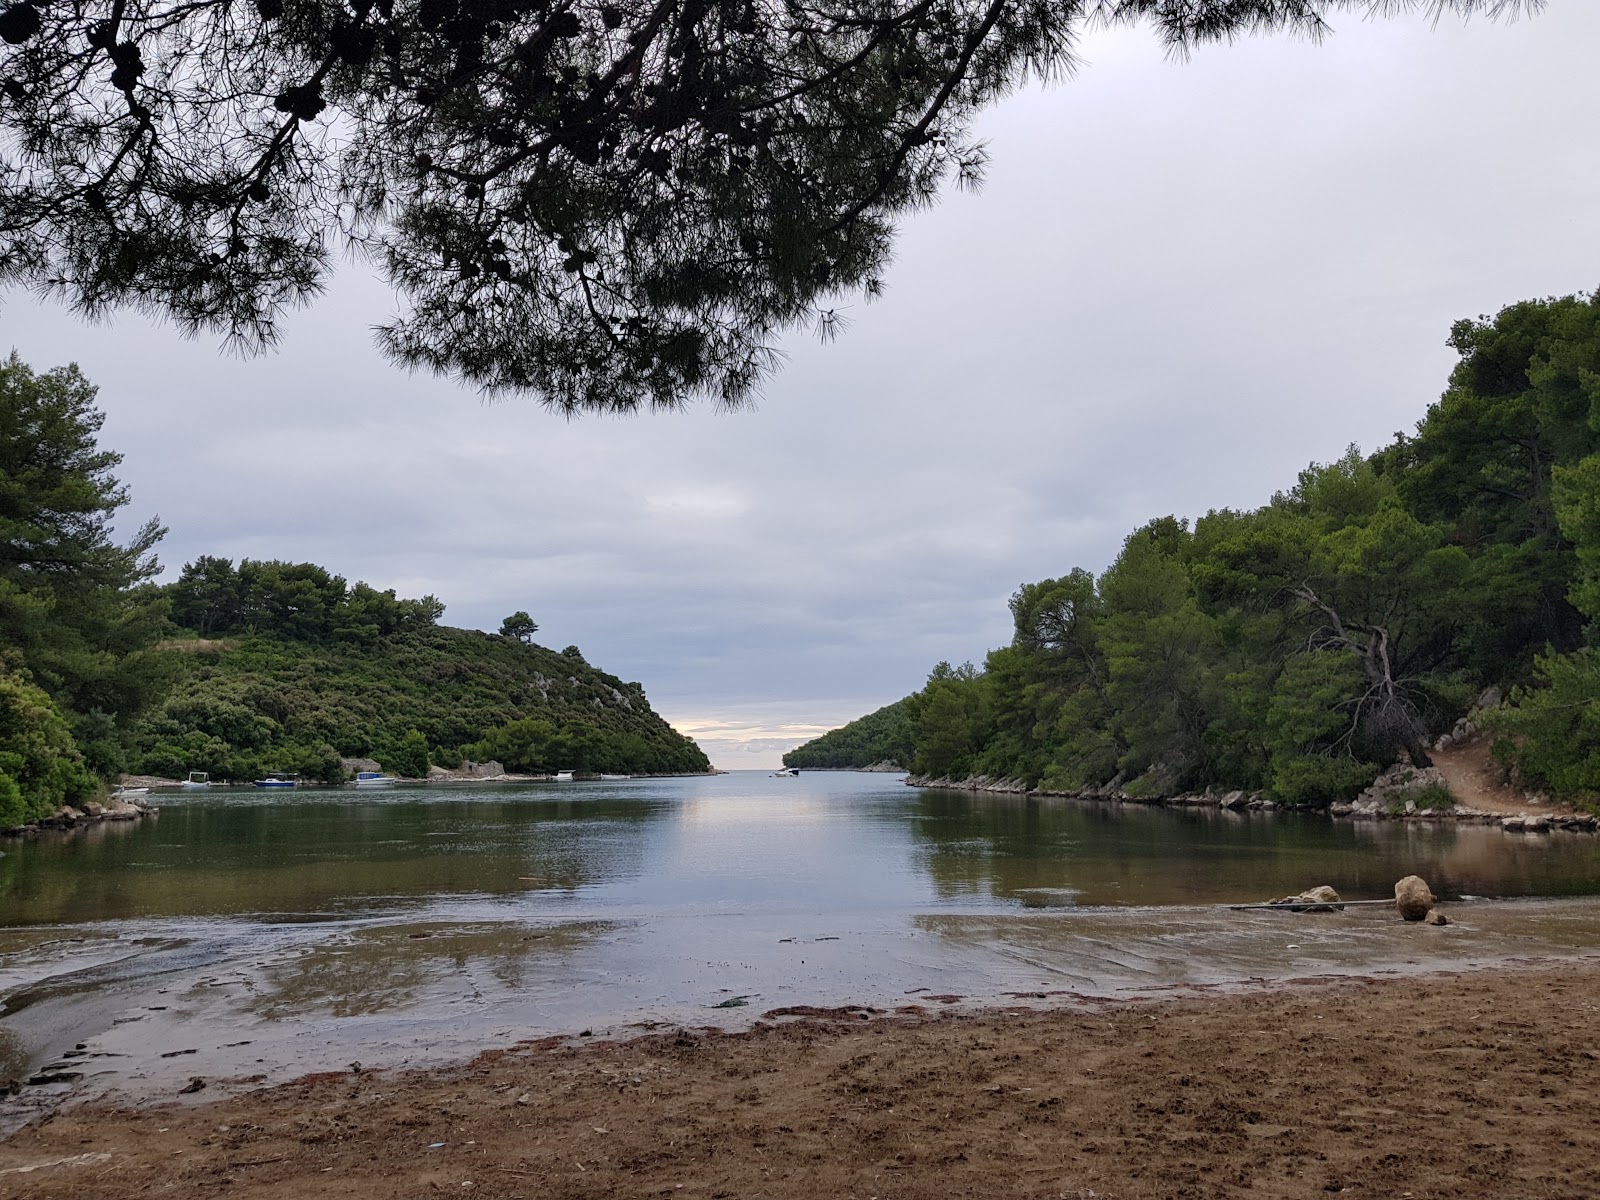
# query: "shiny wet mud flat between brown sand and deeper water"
[[199, 1012]]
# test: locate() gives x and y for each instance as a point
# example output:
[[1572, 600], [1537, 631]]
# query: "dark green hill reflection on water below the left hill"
[[217, 858]]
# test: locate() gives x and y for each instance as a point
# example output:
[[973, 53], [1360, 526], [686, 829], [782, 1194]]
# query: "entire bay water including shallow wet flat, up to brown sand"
[[406, 924]]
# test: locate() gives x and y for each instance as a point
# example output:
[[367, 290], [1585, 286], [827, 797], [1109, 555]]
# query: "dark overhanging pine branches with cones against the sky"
[[607, 204]]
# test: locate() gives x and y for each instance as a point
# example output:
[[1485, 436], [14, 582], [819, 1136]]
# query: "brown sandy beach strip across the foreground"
[[1476, 1084]]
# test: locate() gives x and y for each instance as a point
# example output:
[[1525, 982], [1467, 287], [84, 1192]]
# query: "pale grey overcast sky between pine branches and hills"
[[1180, 284]]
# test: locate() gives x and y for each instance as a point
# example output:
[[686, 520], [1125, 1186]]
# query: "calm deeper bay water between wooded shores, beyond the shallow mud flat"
[[828, 842]]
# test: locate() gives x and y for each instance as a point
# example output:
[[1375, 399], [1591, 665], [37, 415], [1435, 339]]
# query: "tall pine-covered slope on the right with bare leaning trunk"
[[1305, 646]]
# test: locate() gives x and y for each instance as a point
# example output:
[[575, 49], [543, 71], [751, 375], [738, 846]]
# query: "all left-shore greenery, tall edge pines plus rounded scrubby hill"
[[265, 666]]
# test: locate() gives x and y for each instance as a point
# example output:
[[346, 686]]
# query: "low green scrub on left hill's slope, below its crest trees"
[[254, 705]]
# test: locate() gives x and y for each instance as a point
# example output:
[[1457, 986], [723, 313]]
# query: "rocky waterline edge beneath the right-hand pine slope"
[[1399, 794]]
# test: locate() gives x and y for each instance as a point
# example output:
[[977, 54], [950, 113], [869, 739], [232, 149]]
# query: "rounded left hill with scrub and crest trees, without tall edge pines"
[[286, 668]]
